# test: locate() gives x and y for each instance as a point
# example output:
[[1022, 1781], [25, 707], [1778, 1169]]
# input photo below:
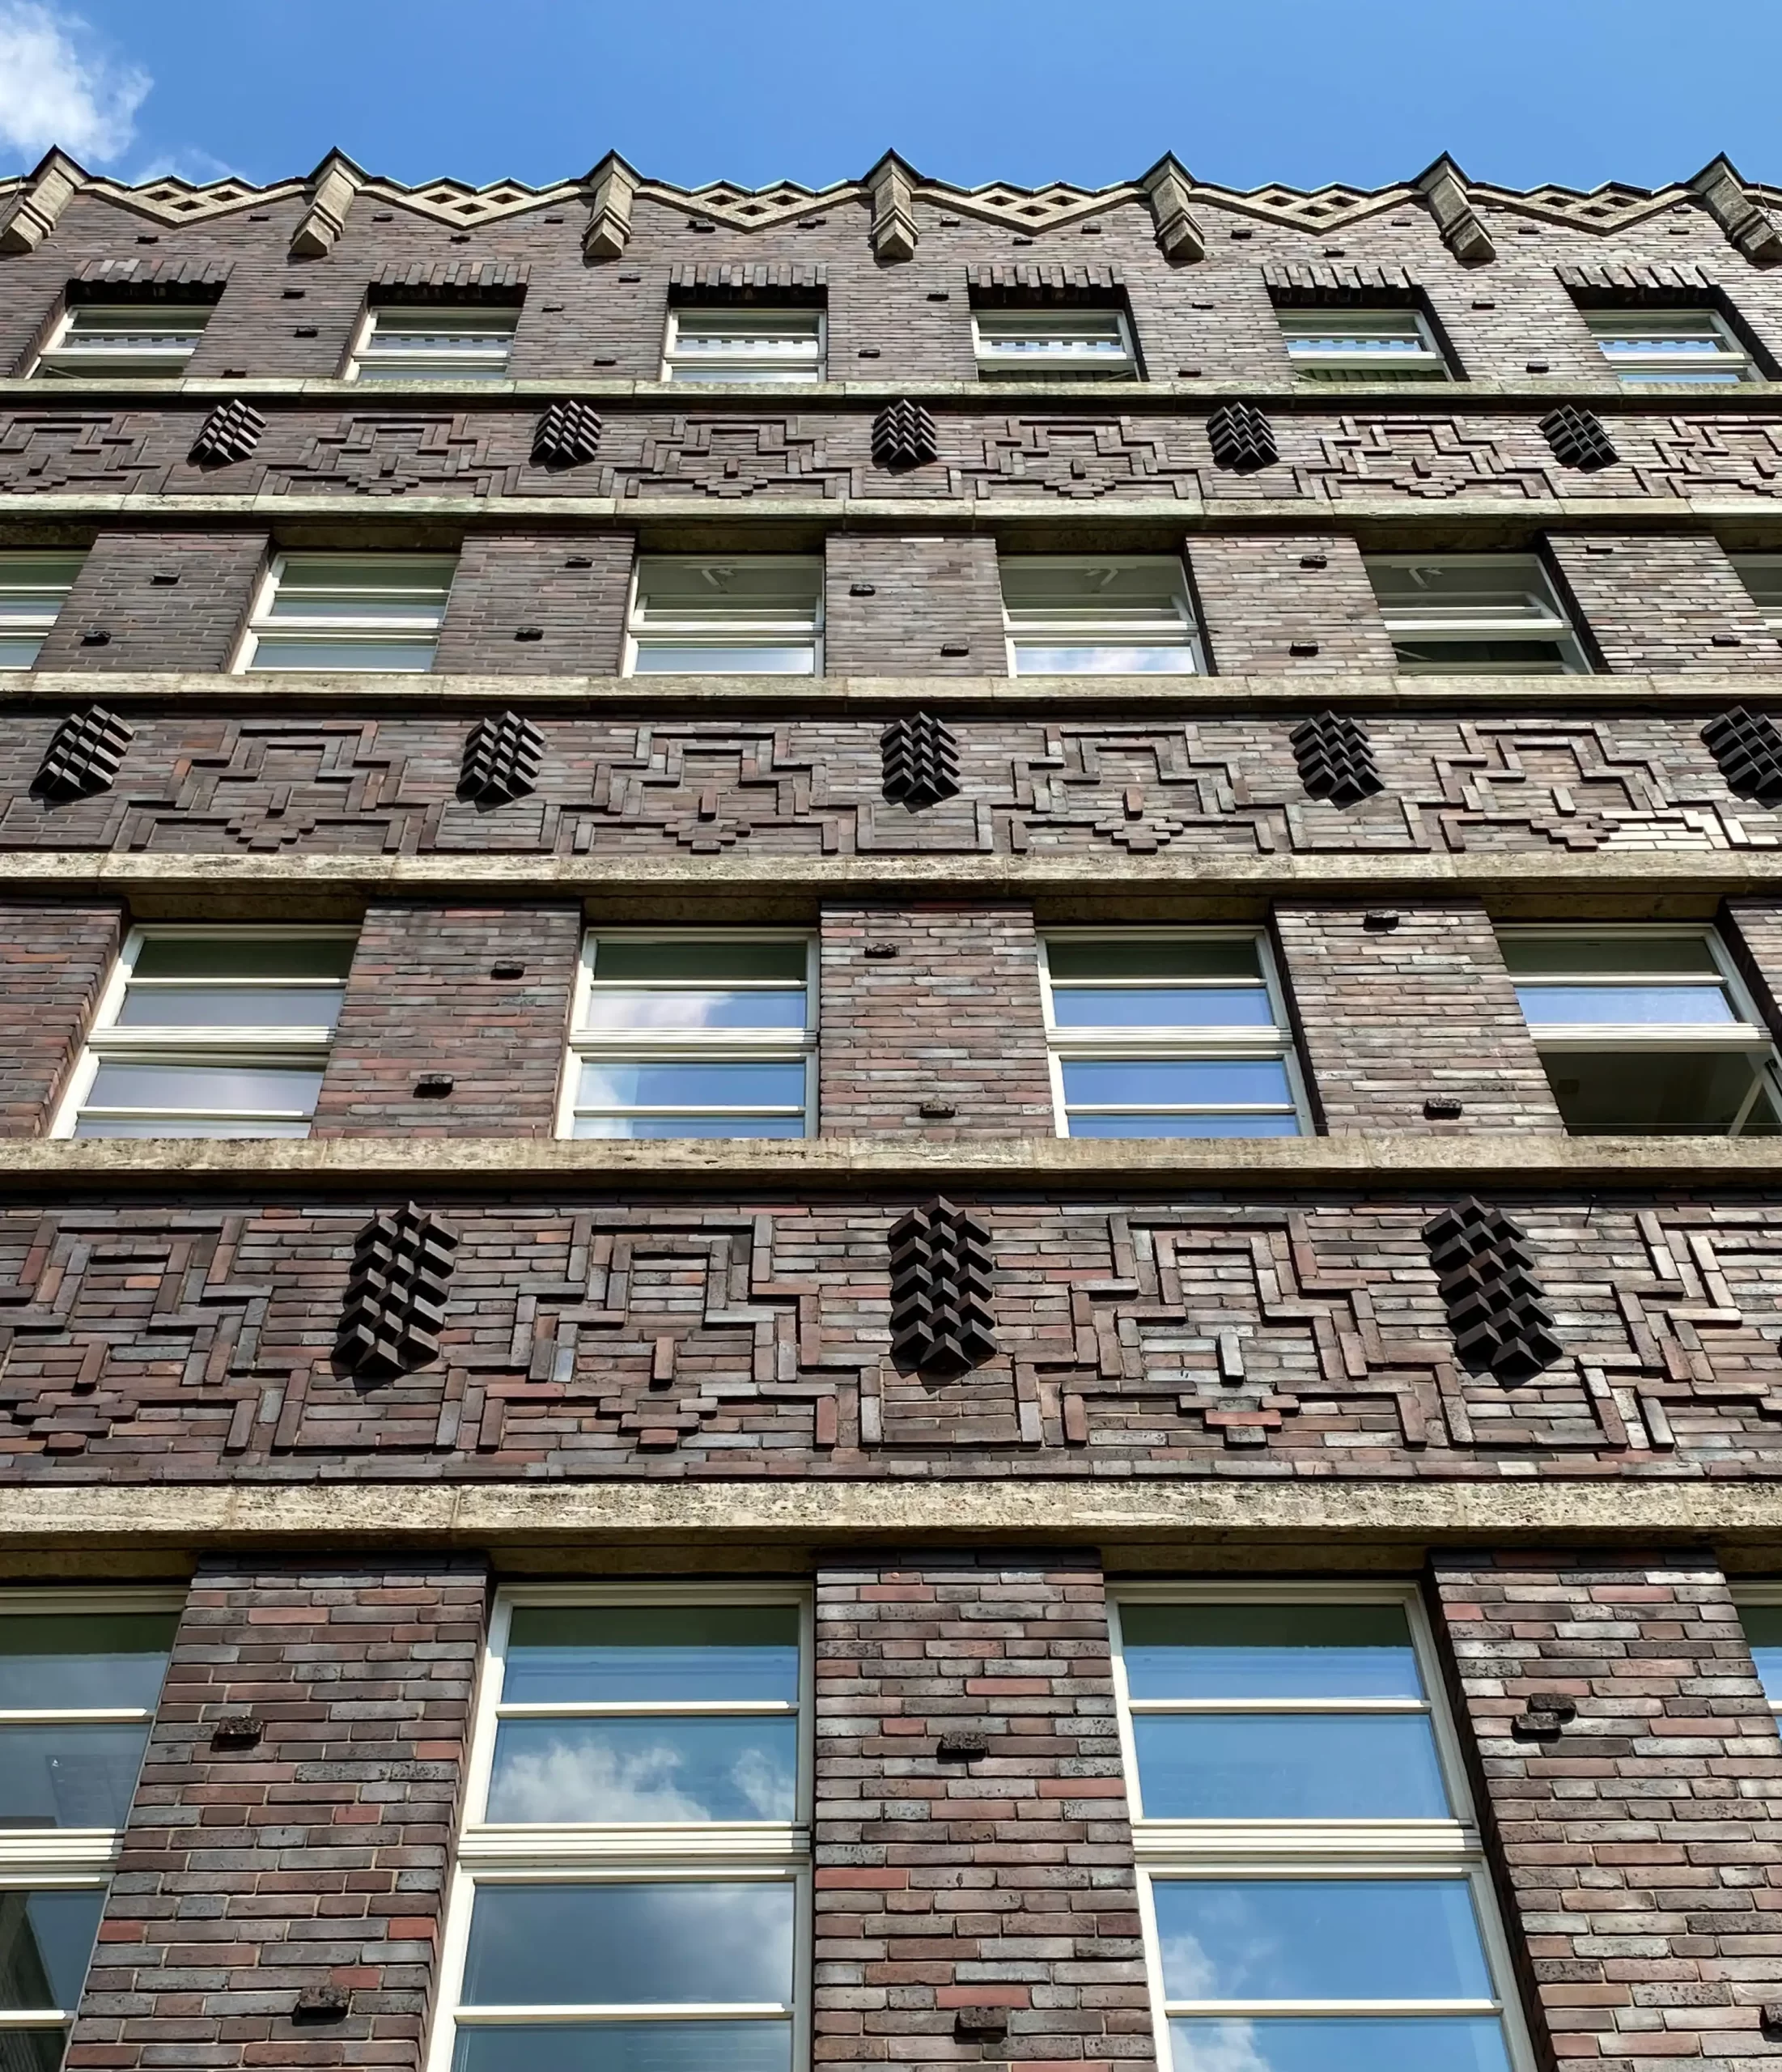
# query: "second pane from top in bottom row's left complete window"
[[645, 1771]]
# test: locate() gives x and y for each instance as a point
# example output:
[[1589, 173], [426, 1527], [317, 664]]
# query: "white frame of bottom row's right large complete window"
[[1333, 1849]]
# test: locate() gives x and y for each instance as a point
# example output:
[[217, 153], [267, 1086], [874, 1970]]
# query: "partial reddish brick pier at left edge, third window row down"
[[53, 967]]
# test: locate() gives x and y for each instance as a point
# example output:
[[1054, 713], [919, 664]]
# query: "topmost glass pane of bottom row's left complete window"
[[643, 1654]]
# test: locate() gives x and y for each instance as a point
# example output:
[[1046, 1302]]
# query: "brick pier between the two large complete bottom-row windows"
[[1002, 1880]]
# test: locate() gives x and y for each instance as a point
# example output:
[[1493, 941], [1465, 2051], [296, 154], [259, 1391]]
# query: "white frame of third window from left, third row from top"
[[1163, 1043]]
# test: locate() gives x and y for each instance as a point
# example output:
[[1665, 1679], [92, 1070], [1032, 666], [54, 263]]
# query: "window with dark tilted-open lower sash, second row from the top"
[[1474, 614]]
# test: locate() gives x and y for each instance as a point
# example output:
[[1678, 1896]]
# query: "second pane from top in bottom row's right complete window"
[[1288, 1766]]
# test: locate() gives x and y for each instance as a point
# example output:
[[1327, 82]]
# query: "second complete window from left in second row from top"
[[759, 614]]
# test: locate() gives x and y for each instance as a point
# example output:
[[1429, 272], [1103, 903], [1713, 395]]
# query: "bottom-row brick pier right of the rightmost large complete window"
[[1644, 1839]]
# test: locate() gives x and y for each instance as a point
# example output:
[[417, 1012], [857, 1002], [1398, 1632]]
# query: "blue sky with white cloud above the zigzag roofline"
[[967, 90]]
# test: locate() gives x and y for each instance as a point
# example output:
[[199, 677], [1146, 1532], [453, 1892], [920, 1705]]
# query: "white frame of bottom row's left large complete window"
[[627, 1851]]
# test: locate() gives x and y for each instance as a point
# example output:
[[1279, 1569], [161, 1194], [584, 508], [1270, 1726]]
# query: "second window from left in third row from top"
[[693, 1037]]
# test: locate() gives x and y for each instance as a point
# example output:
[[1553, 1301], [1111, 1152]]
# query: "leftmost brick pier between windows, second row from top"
[[148, 621]]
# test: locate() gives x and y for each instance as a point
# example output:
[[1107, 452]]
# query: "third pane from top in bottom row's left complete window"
[[631, 1945]]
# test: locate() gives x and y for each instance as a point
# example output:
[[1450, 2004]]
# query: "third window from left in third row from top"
[[1168, 1037]]
